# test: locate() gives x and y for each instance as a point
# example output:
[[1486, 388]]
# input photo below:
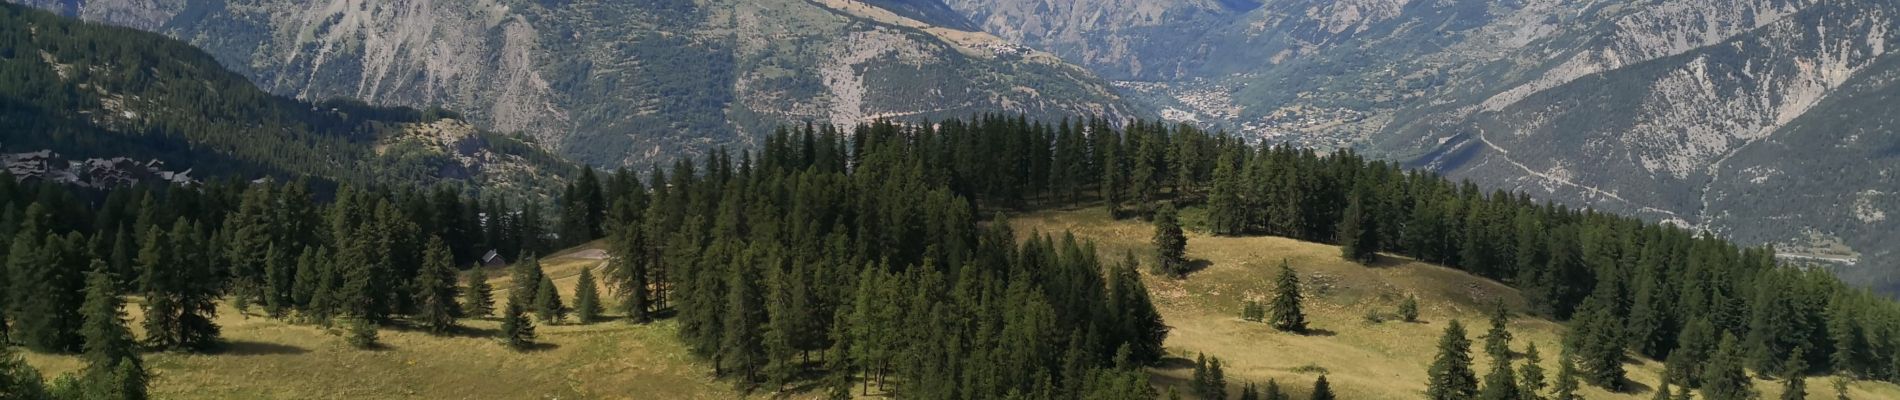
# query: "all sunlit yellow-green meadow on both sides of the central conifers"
[[1365, 361]]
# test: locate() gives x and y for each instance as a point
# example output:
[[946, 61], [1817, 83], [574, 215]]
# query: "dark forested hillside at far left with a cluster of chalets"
[[102, 92]]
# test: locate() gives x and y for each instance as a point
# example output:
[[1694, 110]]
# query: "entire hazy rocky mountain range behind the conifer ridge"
[[1758, 120]]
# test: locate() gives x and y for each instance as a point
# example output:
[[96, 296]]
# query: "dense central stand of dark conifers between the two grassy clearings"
[[858, 259]]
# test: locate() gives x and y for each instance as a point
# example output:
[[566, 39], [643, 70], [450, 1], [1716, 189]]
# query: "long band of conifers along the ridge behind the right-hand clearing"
[[1627, 285]]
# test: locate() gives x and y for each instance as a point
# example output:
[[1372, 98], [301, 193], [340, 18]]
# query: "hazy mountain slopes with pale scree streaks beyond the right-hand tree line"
[[1749, 118]]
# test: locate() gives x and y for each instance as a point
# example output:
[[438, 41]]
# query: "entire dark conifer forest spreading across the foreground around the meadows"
[[858, 263]]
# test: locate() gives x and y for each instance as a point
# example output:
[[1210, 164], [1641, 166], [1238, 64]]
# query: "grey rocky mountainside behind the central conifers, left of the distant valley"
[[626, 82]]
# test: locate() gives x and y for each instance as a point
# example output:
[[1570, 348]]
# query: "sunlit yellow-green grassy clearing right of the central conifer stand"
[[1363, 359]]
